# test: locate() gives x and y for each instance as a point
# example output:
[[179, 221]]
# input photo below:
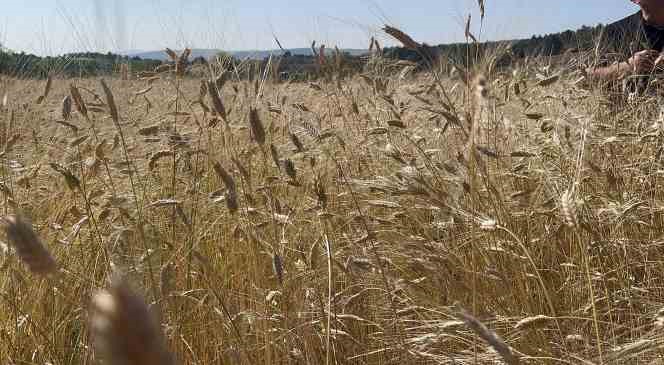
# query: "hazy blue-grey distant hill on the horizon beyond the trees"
[[254, 54]]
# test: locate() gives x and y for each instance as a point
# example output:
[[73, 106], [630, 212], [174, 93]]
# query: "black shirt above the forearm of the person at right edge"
[[630, 35]]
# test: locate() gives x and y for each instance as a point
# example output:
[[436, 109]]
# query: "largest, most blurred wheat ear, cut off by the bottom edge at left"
[[124, 330]]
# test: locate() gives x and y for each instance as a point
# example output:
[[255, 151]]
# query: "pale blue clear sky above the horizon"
[[51, 27]]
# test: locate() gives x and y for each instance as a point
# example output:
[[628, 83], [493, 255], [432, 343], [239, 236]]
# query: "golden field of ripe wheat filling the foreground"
[[388, 218]]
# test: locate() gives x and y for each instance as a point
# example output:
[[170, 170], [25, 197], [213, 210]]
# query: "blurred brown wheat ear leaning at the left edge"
[[29, 247]]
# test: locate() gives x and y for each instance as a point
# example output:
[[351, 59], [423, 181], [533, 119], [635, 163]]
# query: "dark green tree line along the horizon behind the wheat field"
[[92, 64]]
